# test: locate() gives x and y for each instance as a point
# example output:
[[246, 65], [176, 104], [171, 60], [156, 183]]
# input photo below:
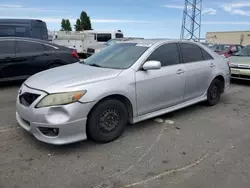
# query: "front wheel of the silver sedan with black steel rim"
[[107, 121]]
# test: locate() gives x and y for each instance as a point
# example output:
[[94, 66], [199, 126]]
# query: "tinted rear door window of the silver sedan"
[[191, 53]]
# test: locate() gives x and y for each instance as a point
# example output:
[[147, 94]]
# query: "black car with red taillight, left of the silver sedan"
[[23, 57]]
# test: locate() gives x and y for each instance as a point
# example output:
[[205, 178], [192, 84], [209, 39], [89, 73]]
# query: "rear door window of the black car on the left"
[[28, 47]]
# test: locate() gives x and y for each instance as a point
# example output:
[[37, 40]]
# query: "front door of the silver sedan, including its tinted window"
[[159, 89]]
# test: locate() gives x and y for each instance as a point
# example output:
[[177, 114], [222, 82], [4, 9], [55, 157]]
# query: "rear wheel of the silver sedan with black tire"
[[214, 92]]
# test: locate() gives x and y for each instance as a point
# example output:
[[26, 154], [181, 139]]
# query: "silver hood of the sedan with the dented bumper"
[[70, 77]]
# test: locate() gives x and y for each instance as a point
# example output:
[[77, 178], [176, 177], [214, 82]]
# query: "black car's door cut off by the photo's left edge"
[[8, 59]]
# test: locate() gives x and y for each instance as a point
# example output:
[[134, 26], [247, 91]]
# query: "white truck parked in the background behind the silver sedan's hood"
[[82, 40]]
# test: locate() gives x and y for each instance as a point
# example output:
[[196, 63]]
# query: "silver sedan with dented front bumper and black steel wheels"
[[126, 82]]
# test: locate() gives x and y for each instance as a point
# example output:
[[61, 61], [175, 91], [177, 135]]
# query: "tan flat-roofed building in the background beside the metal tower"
[[229, 37]]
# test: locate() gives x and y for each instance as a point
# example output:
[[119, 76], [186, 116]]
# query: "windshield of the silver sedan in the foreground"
[[118, 56]]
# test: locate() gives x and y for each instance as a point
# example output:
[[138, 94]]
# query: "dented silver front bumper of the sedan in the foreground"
[[70, 120]]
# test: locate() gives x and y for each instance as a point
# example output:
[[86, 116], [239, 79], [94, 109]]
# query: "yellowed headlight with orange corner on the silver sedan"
[[60, 99]]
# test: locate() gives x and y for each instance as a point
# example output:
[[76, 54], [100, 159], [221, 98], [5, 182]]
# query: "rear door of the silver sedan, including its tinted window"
[[199, 67]]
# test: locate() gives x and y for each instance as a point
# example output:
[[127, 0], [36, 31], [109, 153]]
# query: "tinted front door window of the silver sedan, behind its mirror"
[[167, 54]]
